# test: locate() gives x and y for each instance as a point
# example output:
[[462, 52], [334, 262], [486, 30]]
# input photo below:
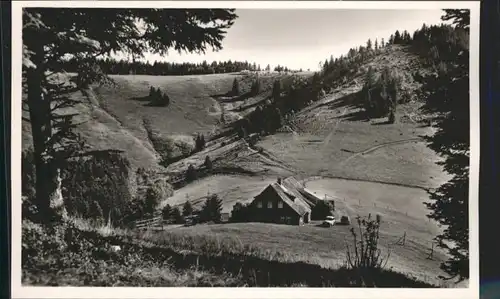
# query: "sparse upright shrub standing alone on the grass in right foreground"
[[365, 254]]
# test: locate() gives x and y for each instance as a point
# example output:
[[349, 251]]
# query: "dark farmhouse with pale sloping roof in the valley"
[[281, 202]]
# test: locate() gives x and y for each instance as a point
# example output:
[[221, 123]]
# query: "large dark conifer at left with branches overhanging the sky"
[[50, 35]]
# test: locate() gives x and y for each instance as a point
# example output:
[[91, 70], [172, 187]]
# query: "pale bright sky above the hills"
[[302, 38]]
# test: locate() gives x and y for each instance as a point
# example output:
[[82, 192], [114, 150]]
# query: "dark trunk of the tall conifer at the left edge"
[[41, 131]]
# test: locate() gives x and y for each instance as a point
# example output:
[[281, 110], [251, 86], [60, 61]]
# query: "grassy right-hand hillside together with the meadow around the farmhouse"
[[331, 139]]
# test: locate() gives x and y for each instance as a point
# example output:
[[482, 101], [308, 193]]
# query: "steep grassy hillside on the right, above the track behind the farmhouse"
[[347, 145]]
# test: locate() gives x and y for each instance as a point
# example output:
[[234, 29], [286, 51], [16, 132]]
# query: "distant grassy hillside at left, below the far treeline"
[[113, 118]]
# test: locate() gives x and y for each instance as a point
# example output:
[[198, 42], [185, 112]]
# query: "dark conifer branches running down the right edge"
[[449, 97]]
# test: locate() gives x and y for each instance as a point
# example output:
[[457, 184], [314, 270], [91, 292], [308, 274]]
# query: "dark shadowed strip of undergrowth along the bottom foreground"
[[67, 255]]
